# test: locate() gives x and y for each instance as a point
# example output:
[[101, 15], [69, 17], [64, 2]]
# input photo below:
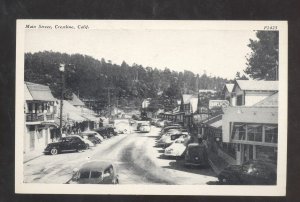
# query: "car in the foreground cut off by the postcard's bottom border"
[[95, 172]]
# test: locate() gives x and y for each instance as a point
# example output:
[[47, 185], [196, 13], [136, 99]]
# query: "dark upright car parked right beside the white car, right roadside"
[[196, 155]]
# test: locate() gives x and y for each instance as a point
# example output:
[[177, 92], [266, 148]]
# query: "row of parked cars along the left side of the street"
[[81, 141]]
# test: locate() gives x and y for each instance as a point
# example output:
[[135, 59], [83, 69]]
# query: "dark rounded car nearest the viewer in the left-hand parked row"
[[65, 144]]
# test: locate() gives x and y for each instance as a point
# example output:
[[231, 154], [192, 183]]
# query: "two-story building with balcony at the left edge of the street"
[[39, 110]]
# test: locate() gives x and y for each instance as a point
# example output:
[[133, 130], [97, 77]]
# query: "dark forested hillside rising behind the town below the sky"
[[129, 84]]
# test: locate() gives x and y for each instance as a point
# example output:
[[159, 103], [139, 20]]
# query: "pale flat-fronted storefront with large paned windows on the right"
[[252, 132]]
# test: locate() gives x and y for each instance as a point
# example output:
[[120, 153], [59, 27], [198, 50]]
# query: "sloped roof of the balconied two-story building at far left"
[[39, 92]]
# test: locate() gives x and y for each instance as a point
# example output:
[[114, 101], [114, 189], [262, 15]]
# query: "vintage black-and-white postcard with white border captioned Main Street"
[[151, 107]]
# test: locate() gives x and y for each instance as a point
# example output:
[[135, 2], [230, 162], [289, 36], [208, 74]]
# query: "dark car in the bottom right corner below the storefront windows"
[[252, 172]]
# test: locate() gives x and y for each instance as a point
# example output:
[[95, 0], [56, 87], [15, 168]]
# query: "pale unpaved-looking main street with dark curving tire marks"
[[136, 158]]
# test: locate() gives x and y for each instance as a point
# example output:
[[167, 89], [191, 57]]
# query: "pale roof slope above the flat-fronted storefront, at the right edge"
[[257, 85]]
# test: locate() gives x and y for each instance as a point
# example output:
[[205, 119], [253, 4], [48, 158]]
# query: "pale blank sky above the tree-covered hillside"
[[219, 53]]
